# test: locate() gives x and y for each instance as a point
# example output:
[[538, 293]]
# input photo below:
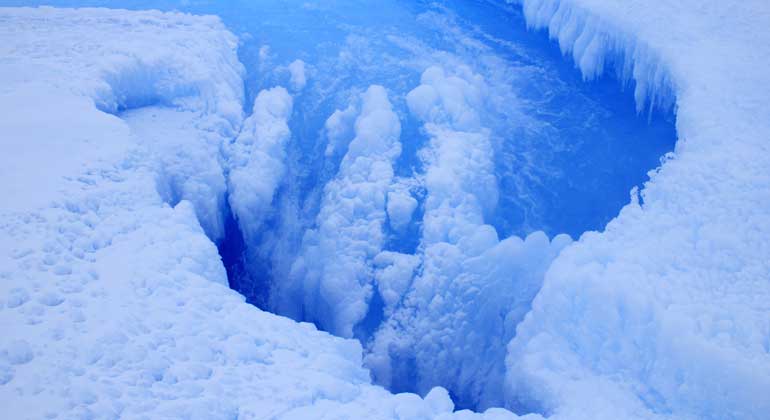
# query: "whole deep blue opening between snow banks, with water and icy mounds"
[[441, 271]]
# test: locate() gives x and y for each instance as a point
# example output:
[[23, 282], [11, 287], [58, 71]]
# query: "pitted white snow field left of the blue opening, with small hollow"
[[113, 303]]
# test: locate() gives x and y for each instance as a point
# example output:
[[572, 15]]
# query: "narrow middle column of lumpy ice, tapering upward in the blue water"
[[334, 272]]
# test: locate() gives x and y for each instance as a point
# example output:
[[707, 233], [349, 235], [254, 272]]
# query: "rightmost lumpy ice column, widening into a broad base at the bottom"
[[458, 314]]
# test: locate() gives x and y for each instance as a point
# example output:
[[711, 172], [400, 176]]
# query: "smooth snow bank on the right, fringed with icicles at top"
[[665, 313]]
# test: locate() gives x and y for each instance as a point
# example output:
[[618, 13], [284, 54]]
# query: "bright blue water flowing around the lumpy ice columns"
[[567, 152]]
